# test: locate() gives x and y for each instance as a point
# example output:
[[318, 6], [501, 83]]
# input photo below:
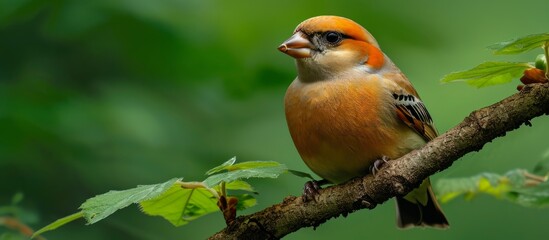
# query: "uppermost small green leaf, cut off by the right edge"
[[520, 45]]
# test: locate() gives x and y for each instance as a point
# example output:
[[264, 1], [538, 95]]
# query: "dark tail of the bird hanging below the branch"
[[420, 208]]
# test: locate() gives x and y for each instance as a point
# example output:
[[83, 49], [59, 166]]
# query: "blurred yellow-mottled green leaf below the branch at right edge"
[[516, 186]]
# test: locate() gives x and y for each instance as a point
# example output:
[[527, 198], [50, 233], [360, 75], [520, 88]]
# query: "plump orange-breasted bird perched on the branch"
[[350, 106]]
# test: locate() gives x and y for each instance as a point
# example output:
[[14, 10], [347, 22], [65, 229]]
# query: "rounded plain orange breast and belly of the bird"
[[340, 127]]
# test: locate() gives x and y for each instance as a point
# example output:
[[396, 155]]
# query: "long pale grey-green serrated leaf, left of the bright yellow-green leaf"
[[101, 206]]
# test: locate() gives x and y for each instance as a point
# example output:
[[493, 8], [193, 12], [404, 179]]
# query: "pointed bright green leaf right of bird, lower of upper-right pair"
[[488, 74]]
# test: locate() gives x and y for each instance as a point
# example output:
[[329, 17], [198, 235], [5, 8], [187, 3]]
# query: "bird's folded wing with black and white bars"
[[411, 110]]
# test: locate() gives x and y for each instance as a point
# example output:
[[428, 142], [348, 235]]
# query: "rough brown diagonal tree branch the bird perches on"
[[398, 176]]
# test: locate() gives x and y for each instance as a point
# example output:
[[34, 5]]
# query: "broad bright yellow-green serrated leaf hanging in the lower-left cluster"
[[181, 205]]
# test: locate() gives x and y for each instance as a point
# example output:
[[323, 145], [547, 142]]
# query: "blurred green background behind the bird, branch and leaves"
[[101, 95]]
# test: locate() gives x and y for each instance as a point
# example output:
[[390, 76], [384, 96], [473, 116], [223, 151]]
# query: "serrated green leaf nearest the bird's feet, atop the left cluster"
[[248, 170]]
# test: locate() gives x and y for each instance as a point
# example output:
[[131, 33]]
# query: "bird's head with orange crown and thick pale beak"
[[327, 46]]
